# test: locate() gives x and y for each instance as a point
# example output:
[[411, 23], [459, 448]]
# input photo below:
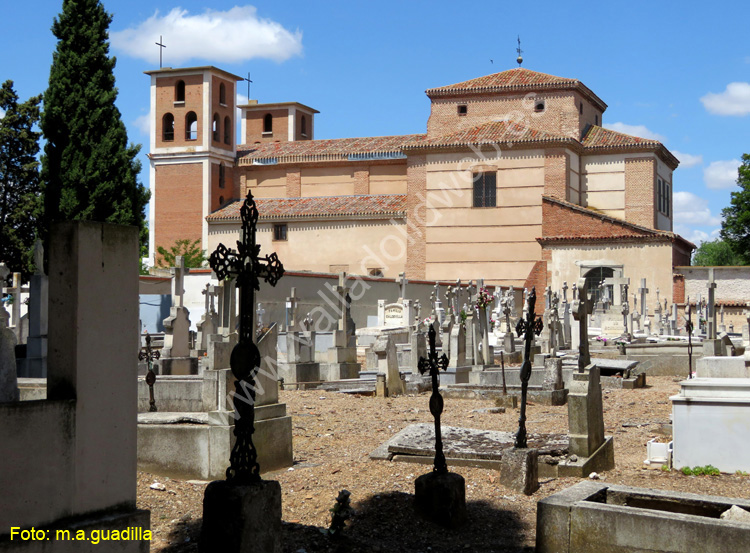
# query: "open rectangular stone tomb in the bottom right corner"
[[592, 517]]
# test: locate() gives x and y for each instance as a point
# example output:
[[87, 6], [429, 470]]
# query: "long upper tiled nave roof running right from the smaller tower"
[[337, 148]]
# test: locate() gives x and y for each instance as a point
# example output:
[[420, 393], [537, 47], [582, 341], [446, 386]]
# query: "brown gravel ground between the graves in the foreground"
[[334, 434]]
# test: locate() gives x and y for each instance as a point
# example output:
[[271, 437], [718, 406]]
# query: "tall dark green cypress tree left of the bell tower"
[[89, 172]]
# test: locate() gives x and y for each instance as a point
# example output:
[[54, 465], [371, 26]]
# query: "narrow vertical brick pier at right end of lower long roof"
[[416, 251]]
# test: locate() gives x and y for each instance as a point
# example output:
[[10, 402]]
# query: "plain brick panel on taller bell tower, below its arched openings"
[[178, 201]]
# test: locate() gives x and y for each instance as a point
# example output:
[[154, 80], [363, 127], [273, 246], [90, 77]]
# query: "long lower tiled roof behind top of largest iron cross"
[[318, 207]]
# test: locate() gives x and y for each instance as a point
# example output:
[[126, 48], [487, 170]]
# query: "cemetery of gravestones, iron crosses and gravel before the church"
[[537, 425]]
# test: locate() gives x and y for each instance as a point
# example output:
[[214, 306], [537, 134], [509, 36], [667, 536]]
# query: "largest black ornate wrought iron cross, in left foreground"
[[248, 268]]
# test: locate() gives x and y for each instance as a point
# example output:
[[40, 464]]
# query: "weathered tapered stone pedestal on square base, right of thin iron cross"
[[589, 449]]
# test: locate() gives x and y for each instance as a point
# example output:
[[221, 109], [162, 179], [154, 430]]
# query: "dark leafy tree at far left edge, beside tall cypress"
[[19, 179]]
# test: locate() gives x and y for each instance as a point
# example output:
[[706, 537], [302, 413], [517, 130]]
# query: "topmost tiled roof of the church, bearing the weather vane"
[[518, 79]]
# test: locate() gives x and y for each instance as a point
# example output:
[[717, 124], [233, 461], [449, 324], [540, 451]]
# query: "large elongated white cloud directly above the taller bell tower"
[[230, 36]]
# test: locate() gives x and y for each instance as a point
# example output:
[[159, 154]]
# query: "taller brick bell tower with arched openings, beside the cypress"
[[192, 151]]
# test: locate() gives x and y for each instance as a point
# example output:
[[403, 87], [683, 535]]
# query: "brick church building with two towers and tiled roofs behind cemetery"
[[515, 181]]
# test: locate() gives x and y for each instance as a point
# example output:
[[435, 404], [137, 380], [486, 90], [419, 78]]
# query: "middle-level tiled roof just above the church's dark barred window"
[[489, 133]]
